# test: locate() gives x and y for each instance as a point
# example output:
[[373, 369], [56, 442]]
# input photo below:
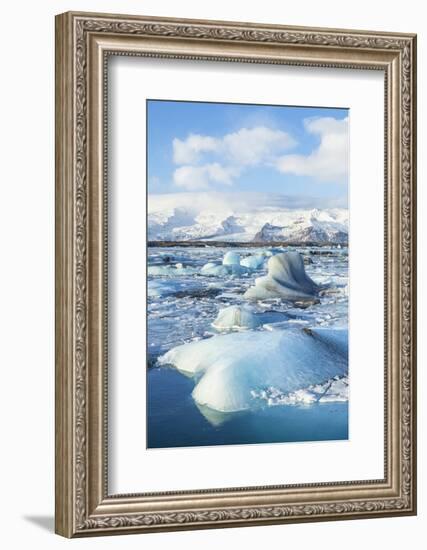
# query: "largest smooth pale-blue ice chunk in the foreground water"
[[229, 368]]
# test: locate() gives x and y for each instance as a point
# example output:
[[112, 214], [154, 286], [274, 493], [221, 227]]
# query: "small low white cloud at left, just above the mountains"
[[201, 177]]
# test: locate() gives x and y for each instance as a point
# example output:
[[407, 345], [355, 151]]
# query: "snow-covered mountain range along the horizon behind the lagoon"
[[243, 218]]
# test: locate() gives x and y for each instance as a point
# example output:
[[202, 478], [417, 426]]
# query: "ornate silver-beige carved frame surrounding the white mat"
[[83, 42]]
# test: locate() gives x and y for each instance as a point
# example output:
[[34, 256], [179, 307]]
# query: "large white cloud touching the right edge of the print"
[[329, 162]]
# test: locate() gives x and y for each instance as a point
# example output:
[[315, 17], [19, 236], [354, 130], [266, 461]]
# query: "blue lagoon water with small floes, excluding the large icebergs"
[[184, 313]]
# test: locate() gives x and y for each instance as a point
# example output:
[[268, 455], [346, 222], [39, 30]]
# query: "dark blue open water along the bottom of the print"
[[174, 420]]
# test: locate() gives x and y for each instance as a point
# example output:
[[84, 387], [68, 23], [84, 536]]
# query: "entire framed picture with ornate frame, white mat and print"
[[235, 274]]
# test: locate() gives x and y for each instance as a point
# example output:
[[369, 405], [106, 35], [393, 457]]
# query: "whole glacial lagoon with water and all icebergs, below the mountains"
[[246, 346]]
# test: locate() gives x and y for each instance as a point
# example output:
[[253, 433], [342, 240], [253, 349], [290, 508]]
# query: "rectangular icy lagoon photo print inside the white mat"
[[247, 273]]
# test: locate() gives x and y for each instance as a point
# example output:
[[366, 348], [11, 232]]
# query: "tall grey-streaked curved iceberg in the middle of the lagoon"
[[286, 279]]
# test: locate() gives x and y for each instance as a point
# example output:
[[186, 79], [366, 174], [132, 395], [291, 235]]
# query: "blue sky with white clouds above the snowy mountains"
[[296, 151]]
